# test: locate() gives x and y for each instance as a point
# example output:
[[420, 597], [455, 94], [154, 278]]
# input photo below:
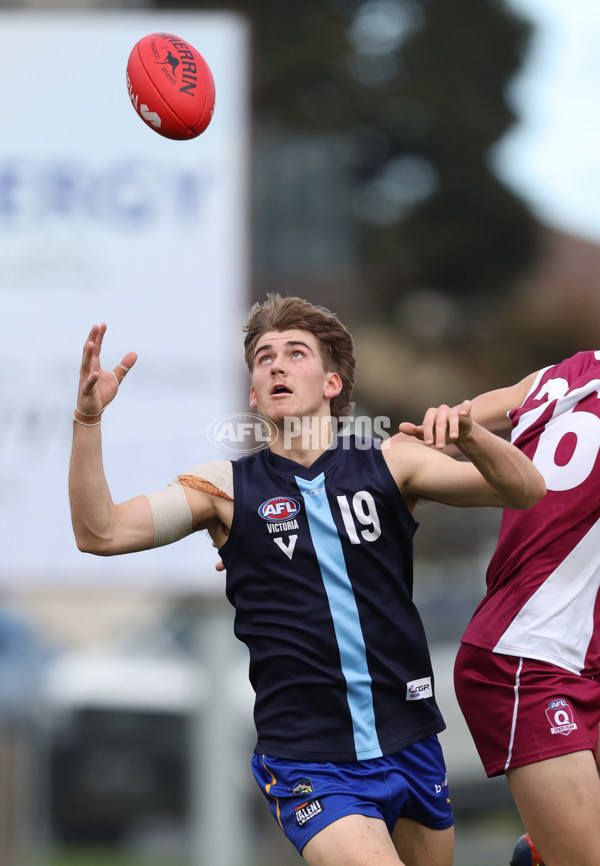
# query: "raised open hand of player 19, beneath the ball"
[[97, 387]]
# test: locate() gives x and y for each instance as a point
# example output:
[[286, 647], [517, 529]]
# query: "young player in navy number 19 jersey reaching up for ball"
[[315, 532]]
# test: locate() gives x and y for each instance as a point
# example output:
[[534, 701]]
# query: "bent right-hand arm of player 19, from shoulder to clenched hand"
[[497, 474]]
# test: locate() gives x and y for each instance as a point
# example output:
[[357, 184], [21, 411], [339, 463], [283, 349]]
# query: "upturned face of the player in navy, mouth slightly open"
[[288, 378]]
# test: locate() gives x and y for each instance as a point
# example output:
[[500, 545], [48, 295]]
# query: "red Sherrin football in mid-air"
[[170, 86]]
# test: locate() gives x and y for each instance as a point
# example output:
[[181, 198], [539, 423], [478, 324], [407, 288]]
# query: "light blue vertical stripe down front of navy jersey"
[[344, 612]]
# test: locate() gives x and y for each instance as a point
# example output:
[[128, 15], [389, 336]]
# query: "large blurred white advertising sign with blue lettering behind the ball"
[[102, 219]]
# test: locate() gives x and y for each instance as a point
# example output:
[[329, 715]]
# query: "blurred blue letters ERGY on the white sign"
[[123, 195]]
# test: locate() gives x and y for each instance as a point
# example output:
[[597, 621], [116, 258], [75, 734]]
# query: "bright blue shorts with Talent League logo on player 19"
[[305, 796]]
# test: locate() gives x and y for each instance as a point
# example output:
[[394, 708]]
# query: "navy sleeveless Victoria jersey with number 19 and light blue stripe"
[[319, 571]]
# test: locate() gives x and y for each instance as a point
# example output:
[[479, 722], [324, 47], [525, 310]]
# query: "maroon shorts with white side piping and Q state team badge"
[[521, 710]]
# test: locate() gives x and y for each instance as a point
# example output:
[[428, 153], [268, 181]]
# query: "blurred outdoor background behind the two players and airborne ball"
[[430, 171]]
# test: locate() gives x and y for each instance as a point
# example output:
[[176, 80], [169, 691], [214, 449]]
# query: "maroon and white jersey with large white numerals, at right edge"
[[544, 576]]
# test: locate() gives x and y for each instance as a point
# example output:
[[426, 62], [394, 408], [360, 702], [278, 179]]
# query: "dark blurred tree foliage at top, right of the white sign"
[[419, 89]]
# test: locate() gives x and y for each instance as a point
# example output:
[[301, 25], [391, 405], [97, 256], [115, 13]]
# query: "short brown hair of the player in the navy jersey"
[[336, 344]]
